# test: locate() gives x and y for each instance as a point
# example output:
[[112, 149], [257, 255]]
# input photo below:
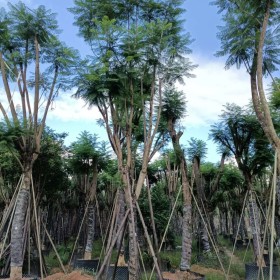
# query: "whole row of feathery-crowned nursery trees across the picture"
[[139, 52]]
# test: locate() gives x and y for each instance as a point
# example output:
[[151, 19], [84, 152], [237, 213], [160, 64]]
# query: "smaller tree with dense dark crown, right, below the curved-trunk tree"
[[240, 132]]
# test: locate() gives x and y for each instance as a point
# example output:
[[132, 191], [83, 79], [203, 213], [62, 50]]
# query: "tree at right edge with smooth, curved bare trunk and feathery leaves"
[[250, 37]]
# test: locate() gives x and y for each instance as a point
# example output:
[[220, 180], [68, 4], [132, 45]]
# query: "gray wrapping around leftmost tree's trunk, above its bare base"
[[17, 230]]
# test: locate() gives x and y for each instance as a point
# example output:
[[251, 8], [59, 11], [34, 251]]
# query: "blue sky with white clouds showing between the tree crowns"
[[206, 94]]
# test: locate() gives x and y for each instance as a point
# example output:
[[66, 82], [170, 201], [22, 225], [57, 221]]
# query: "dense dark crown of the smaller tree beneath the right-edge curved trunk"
[[239, 131]]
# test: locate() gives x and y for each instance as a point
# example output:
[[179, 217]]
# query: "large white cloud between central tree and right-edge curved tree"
[[212, 88]]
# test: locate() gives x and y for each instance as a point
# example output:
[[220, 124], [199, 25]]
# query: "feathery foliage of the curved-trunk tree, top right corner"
[[240, 34]]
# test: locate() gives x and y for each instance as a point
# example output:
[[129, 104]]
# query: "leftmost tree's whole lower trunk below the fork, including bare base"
[[17, 238]]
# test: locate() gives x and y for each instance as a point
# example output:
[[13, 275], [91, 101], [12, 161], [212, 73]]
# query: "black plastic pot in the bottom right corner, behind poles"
[[253, 272]]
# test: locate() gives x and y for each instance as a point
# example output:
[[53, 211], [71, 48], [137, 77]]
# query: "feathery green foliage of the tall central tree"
[[133, 43]]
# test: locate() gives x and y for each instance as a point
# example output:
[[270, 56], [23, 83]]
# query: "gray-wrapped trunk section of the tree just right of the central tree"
[[186, 238]]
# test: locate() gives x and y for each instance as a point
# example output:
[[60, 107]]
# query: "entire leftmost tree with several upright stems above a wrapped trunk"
[[28, 41]]
